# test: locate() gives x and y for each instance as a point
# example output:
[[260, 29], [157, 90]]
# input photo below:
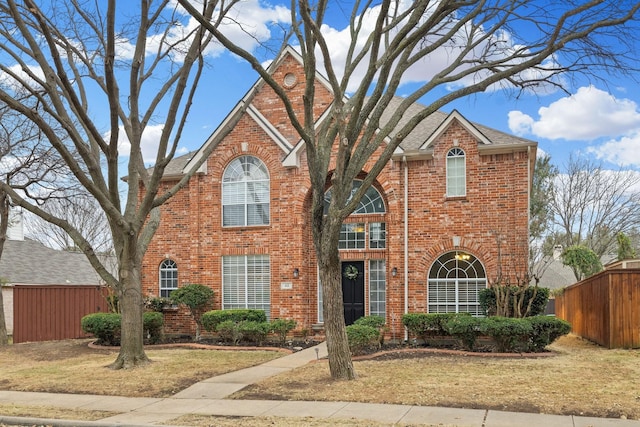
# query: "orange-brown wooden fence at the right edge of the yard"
[[604, 308]]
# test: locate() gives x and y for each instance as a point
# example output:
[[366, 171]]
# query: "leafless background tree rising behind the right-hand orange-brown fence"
[[591, 205]]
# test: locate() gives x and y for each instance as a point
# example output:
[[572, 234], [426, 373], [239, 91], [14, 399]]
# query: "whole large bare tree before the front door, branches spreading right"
[[389, 40]]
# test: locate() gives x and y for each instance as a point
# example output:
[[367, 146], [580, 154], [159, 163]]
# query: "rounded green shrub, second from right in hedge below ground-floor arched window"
[[509, 334]]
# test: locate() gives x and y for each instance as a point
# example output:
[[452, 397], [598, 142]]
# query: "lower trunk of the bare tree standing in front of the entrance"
[[340, 363]]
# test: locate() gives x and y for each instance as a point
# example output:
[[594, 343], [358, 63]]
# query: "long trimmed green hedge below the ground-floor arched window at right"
[[529, 334]]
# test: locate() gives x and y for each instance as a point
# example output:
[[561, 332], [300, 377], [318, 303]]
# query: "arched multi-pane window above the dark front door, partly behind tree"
[[365, 234]]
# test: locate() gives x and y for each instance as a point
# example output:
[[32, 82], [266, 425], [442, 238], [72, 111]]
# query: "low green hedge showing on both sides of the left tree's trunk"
[[106, 327]]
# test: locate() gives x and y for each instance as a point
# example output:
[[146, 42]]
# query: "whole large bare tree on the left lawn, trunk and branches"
[[102, 73]]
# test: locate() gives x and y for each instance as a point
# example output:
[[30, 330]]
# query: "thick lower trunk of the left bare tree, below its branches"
[[131, 305]]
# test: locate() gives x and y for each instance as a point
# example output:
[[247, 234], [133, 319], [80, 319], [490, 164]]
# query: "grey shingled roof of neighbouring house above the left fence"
[[30, 262]]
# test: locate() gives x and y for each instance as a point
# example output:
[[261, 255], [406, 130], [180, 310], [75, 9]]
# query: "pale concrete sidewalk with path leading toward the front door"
[[207, 398]]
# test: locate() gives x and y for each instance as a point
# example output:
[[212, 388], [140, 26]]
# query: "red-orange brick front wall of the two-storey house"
[[490, 222]]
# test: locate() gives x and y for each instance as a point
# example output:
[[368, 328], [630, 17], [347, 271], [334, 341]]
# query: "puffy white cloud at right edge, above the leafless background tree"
[[588, 114]]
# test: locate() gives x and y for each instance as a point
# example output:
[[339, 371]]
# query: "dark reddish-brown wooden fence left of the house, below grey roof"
[[45, 313]]
